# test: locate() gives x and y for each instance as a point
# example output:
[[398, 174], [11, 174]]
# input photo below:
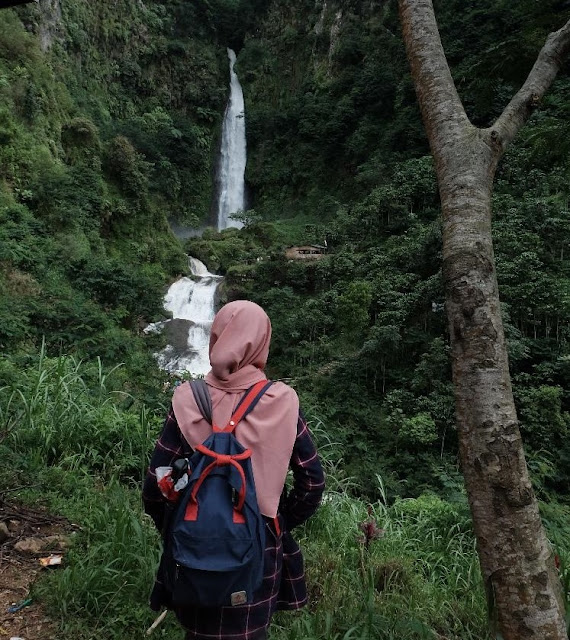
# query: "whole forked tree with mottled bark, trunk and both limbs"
[[516, 560]]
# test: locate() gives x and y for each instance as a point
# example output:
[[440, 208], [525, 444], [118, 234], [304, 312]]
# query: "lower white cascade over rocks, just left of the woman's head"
[[191, 302]]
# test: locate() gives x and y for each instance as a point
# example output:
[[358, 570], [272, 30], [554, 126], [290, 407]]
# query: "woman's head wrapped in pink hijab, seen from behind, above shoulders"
[[241, 333]]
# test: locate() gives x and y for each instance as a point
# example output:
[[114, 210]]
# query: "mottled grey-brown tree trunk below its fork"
[[516, 559]]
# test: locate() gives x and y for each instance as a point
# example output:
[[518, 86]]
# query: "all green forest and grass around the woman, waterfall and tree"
[[110, 118]]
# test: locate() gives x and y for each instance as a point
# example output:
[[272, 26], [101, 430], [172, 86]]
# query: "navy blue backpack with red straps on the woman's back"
[[215, 540]]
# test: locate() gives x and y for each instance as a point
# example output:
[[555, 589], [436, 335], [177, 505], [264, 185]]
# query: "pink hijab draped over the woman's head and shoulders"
[[239, 346]]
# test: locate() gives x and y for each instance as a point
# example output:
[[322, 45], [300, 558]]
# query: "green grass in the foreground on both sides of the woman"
[[68, 429]]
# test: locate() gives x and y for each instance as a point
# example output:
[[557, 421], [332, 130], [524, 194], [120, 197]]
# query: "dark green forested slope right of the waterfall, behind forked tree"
[[337, 149]]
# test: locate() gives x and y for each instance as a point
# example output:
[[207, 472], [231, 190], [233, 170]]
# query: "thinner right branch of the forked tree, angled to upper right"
[[520, 108]]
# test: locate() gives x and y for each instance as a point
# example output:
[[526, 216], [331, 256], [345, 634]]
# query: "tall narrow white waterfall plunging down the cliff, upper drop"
[[233, 155]]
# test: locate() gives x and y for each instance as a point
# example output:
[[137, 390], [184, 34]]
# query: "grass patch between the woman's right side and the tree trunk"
[[419, 580]]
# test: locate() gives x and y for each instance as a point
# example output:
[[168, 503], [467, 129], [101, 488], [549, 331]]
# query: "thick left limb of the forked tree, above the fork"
[[441, 106]]
